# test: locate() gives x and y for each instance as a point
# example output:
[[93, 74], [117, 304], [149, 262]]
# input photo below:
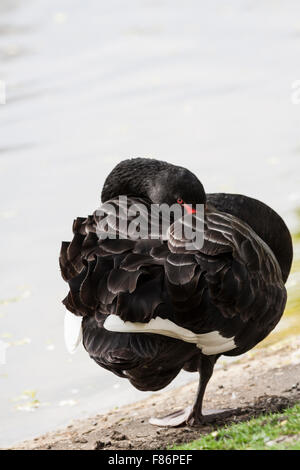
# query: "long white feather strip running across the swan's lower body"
[[209, 343]]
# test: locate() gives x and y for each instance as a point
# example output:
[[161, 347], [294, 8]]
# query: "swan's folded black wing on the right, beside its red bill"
[[241, 272]]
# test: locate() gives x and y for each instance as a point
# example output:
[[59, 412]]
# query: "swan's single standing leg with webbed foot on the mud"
[[193, 415]]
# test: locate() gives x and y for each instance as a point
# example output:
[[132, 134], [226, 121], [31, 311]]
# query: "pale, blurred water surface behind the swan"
[[207, 85]]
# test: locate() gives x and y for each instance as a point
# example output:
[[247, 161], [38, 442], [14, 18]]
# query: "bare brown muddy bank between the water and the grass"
[[264, 380]]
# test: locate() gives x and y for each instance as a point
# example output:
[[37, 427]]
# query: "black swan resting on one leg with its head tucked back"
[[148, 308]]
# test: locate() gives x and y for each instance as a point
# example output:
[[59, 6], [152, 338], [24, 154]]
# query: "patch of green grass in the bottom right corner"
[[278, 431]]
